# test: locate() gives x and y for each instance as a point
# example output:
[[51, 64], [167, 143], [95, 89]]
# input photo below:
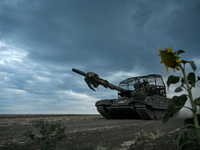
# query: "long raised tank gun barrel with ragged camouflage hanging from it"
[[93, 81]]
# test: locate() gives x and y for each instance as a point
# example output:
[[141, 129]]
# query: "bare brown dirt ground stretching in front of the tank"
[[89, 132]]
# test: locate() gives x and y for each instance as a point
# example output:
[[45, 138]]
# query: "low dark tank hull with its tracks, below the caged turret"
[[147, 108]]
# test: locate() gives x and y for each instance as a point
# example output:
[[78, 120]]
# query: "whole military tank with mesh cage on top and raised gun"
[[138, 97]]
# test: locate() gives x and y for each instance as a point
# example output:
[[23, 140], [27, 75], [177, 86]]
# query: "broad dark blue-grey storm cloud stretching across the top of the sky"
[[64, 31]]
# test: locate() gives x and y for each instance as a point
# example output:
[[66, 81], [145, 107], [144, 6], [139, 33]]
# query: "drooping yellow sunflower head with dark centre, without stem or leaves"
[[169, 58]]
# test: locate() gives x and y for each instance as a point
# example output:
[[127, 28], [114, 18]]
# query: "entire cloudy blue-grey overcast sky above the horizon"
[[41, 41]]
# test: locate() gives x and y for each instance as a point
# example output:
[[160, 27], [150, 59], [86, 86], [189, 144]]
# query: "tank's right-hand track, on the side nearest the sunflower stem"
[[149, 113]]
